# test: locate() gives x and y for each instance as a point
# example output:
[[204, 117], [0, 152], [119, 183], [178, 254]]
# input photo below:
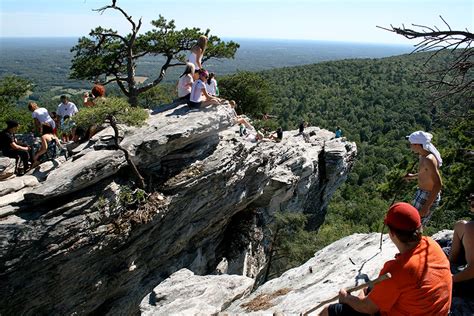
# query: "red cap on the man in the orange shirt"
[[403, 216]]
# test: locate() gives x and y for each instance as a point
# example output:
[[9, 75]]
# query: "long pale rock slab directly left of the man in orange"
[[344, 263]]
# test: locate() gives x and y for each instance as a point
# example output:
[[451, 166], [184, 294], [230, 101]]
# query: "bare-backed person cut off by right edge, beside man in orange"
[[462, 256]]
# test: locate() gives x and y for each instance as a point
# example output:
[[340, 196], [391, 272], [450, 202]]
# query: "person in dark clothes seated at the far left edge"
[[10, 147]]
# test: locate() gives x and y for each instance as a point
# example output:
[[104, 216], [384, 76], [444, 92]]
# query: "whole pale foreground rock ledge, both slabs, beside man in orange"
[[348, 262]]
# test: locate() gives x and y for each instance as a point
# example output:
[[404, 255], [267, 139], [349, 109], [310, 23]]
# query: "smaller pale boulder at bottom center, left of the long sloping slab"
[[184, 293]]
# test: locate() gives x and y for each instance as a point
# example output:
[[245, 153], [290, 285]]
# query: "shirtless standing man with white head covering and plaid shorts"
[[427, 195]]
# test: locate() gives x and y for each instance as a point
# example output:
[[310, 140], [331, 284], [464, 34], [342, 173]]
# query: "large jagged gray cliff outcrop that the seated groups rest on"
[[78, 238]]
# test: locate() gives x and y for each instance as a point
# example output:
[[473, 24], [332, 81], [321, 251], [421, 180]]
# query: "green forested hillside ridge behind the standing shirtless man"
[[377, 102]]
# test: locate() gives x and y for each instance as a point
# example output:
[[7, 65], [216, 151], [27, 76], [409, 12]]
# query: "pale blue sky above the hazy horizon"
[[330, 20]]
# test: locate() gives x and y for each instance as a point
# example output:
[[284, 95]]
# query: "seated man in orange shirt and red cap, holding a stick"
[[420, 282]]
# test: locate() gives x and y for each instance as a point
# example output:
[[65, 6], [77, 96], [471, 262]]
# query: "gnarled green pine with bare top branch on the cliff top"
[[107, 56]]
